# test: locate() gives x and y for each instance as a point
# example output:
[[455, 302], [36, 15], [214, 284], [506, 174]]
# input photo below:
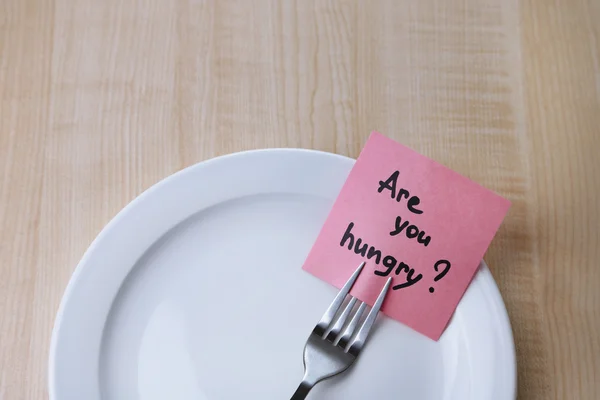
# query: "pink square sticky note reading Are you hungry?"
[[405, 215]]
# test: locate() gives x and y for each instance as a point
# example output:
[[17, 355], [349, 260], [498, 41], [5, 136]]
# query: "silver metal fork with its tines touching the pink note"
[[328, 352]]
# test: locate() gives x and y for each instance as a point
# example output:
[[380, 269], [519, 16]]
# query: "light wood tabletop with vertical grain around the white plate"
[[101, 99]]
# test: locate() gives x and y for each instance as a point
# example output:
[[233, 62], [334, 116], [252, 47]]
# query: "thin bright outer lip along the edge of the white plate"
[[495, 298]]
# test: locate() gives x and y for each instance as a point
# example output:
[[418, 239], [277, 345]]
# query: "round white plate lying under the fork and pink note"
[[195, 291]]
